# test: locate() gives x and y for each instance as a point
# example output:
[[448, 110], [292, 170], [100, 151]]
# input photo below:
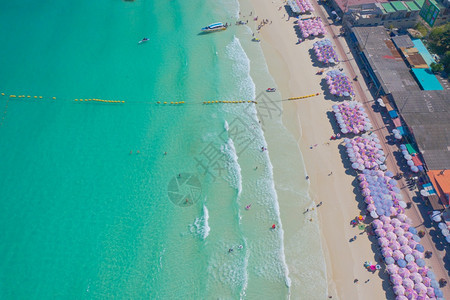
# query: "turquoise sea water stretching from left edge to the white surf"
[[91, 205]]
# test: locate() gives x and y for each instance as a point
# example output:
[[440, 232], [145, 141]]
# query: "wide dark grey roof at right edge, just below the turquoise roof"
[[427, 114]]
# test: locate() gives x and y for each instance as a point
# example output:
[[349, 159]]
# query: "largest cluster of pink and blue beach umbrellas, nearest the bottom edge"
[[404, 258]]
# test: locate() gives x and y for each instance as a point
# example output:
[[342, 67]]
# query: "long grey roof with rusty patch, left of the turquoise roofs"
[[384, 59]]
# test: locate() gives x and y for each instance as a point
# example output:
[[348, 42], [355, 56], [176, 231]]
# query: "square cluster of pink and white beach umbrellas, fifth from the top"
[[352, 117]]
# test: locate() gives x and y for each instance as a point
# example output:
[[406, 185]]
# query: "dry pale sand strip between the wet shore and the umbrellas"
[[306, 120]]
